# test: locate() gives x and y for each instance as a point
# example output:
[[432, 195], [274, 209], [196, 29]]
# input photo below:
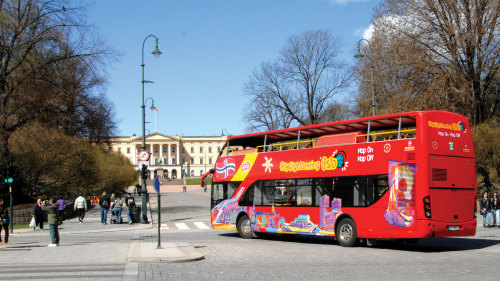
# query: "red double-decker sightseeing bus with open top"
[[398, 176]]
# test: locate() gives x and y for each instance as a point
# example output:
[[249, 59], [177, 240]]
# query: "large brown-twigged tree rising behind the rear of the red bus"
[[431, 54]]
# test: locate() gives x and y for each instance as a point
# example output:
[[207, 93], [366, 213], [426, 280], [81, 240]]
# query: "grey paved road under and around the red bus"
[[102, 254]]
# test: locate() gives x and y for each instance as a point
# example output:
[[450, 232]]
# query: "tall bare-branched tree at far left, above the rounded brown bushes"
[[50, 67]]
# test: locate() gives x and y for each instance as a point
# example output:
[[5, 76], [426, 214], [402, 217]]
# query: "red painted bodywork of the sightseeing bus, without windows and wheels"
[[438, 164]]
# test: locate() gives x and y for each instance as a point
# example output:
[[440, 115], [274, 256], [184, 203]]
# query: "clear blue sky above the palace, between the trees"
[[210, 48]]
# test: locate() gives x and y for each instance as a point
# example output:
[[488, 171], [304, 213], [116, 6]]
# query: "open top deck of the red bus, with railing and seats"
[[369, 129]]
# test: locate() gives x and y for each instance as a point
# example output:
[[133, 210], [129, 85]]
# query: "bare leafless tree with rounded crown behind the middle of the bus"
[[300, 85]]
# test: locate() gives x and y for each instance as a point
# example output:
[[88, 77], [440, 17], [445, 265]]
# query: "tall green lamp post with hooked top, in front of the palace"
[[156, 52]]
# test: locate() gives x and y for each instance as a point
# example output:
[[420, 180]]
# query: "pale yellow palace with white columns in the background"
[[172, 156]]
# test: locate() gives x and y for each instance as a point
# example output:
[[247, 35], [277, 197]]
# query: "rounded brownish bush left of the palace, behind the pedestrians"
[[52, 163]]
